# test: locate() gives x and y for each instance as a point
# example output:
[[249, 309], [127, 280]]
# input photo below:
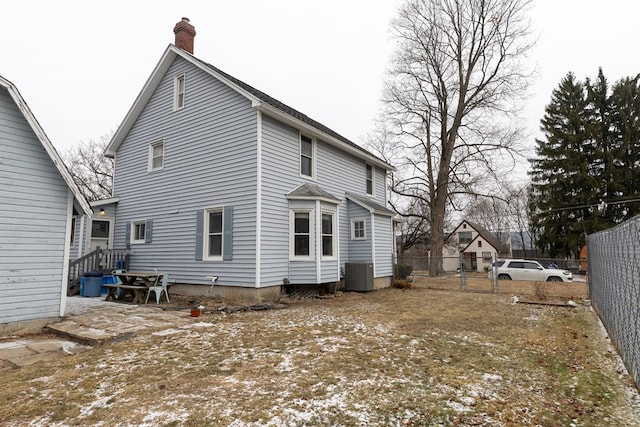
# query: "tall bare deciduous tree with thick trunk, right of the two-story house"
[[452, 98]]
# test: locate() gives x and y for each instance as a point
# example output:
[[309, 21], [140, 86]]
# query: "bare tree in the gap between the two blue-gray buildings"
[[90, 169]]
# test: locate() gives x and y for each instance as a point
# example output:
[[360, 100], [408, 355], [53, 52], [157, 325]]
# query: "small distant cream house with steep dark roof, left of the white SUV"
[[478, 247]]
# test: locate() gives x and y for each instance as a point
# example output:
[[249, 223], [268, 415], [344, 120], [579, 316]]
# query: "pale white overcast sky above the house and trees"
[[80, 64]]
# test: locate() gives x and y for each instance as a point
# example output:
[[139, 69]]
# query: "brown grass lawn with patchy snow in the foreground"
[[413, 357]]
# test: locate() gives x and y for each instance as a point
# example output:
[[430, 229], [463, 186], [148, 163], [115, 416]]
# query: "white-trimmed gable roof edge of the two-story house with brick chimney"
[[260, 101]]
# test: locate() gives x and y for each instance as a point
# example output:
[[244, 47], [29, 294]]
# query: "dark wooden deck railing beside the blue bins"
[[104, 260]]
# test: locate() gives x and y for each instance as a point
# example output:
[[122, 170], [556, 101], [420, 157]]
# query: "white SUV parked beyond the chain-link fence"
[[526, 269]]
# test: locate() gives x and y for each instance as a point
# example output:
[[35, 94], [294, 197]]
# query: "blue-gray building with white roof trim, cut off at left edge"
[[39, 199]]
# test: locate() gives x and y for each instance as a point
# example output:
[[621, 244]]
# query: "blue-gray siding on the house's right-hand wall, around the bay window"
[[336, 172]]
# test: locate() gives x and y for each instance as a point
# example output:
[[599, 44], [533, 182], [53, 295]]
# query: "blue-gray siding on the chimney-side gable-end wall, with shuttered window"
[[209, 161]]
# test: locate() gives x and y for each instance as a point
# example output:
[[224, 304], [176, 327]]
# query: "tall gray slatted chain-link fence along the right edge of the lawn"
[[614, 288]]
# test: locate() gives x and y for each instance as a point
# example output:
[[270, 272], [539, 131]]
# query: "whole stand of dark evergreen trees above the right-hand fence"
[[586, 174]]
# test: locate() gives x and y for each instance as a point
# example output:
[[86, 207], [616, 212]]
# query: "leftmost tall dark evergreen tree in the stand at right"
[[559, 171]]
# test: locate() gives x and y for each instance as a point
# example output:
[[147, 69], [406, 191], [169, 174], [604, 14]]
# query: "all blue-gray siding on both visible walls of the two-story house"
[[211, 160]]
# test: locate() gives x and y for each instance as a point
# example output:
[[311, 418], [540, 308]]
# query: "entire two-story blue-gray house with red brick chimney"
[[216, 178]]
